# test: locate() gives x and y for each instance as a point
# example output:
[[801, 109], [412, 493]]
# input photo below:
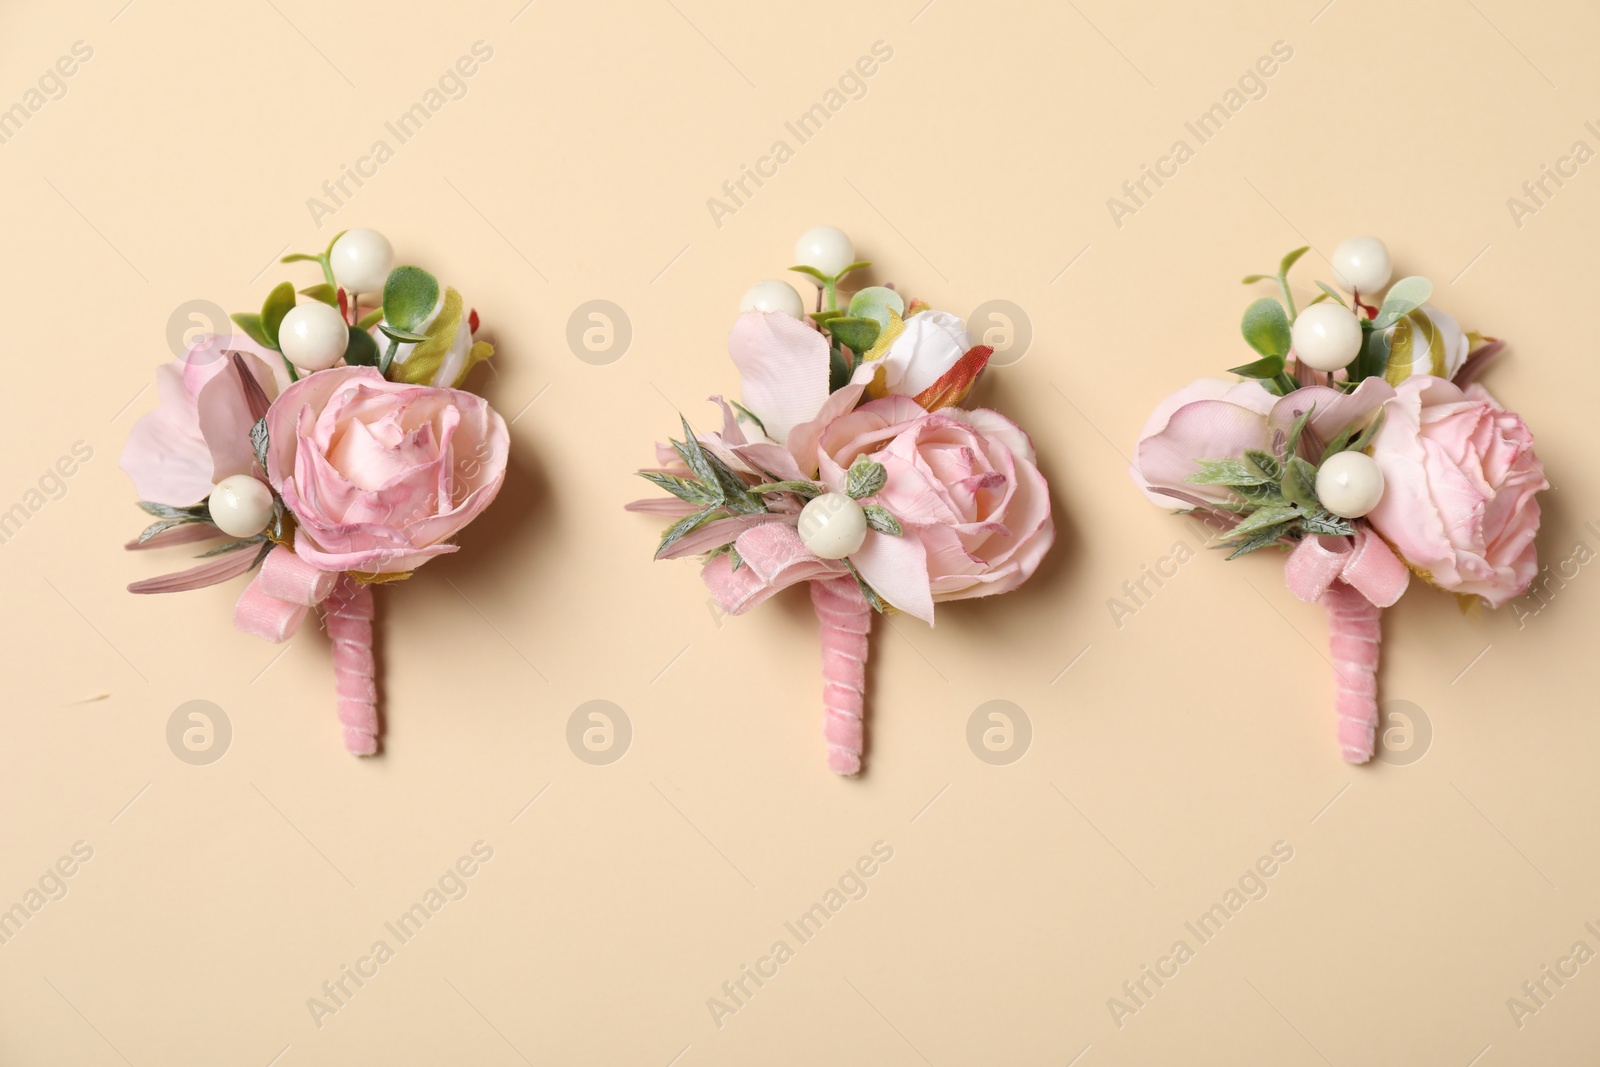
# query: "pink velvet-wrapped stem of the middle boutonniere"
[[846, 620]]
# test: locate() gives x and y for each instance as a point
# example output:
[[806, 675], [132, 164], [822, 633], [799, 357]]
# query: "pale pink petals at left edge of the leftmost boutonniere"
[[199, 433]]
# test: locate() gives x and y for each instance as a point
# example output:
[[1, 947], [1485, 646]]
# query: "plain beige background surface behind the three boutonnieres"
[[1172, 754]]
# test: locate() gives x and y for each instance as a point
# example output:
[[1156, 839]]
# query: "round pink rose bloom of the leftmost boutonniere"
[[380, 474]]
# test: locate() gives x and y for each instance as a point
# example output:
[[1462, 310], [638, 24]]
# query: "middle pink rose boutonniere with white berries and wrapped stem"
[[849, 465]]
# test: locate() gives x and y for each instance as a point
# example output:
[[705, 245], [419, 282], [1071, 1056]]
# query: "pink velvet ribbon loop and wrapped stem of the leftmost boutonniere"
[[274, 607]]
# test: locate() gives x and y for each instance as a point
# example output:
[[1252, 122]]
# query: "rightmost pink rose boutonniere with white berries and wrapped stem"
[[1361, 442]]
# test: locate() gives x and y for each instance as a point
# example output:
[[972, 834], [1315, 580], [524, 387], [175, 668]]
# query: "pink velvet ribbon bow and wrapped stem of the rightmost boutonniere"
[[1354, 578]]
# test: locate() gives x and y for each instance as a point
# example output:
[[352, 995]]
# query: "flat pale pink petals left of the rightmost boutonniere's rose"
[[1218, 420]]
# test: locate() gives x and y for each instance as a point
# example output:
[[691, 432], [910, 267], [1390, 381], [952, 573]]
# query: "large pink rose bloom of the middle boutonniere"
[[972, 505]]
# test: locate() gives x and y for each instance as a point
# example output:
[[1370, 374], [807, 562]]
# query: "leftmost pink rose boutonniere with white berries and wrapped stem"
[[332, 446]]
